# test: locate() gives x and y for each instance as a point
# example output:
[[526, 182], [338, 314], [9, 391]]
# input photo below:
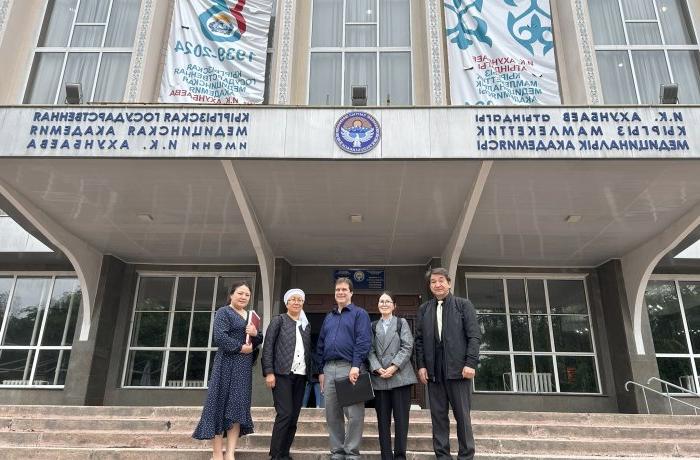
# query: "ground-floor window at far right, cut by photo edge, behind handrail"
[[674, 317]]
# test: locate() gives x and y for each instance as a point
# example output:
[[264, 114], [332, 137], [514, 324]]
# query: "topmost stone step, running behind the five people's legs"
[[261, 413]]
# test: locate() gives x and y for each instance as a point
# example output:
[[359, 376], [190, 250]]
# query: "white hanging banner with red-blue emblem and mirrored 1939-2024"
[[217, 52]]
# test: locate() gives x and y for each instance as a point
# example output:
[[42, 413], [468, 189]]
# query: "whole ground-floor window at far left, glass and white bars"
[[39, 315]]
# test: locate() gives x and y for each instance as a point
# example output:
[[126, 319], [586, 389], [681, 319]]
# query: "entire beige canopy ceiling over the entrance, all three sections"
[[409, 208]]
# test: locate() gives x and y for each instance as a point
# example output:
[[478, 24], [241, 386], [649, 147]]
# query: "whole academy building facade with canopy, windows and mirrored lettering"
[[125, 219]]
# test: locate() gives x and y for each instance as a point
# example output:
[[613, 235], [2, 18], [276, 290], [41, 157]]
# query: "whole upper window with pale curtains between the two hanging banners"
[[360, 43]]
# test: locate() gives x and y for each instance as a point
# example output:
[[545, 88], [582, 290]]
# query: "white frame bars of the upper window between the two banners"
[[376, 50]]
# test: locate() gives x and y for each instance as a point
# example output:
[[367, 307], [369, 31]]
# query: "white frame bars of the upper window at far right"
[[663, 47]]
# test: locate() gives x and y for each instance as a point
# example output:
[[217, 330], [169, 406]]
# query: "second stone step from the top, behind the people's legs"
[[418, 427]]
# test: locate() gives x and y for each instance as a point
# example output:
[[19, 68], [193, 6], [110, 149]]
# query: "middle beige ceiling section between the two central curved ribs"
[[409, 209]]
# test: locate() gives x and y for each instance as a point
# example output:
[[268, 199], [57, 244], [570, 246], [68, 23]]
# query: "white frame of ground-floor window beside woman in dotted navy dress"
[[210, 349]]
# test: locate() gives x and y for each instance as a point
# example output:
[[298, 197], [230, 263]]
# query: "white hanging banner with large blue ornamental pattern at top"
[[501, 52]]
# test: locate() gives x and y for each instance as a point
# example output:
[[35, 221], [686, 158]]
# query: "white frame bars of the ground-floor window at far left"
[[38, 348]]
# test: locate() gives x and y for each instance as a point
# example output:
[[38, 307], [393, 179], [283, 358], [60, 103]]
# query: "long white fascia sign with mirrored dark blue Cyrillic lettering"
[[190, 131]]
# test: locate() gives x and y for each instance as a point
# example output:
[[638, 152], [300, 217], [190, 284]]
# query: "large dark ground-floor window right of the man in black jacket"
[[536, 335]]
